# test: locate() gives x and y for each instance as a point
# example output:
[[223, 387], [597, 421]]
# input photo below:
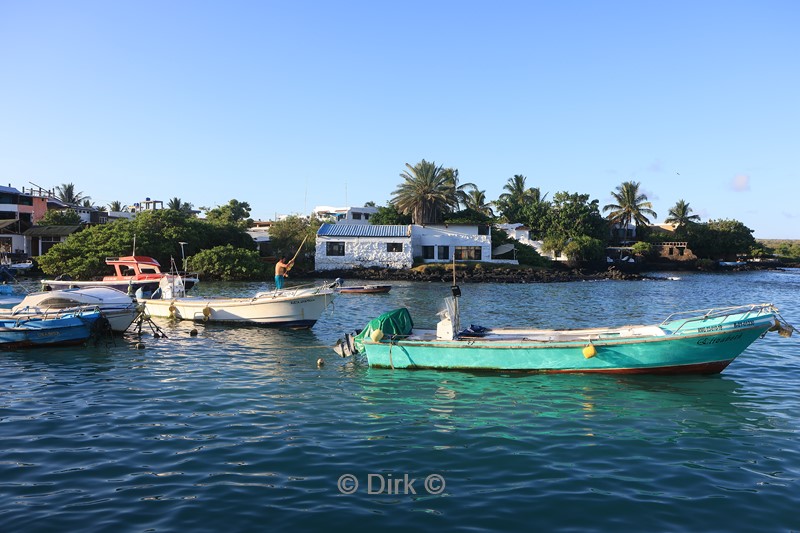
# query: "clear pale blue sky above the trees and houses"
[[293, 104]]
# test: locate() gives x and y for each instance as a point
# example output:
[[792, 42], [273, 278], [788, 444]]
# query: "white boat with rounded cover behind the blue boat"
[[116, 306]]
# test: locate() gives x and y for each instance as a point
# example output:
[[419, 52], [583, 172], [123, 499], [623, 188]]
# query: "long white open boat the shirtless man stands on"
[[296, 307]]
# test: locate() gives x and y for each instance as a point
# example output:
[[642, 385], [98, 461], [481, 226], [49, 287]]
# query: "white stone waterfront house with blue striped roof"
[[344, 246]]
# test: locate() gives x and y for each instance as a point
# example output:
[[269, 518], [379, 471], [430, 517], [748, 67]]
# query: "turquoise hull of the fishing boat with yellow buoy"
[[702, 348]]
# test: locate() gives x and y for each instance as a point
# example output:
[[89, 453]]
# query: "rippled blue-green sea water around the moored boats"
[[237, 429]]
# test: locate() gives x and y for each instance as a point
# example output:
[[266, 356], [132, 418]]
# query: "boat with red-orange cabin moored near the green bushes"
[[131, 273]]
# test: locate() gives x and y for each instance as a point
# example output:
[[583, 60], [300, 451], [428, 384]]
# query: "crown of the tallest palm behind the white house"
[[427, 192]]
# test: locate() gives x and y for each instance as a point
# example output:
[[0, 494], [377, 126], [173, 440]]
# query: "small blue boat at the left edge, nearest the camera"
[[61, 330]]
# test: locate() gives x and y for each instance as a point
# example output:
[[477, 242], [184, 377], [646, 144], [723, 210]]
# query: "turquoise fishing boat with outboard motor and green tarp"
[[693, 342]]
